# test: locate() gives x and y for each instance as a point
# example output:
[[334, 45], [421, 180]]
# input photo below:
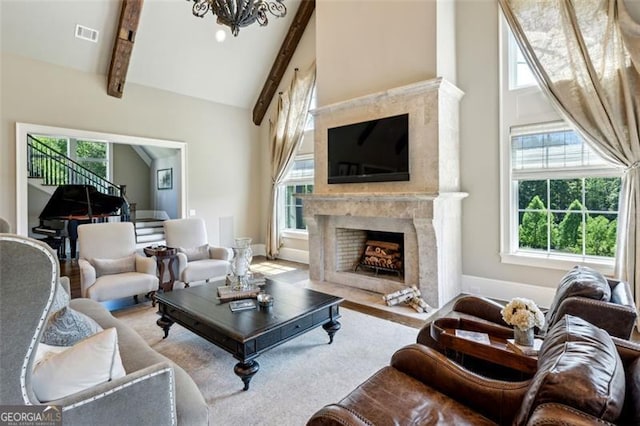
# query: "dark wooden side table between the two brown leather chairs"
[[497, 351]]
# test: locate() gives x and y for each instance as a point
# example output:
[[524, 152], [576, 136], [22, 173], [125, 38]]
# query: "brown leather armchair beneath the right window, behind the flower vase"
[[582, 292]]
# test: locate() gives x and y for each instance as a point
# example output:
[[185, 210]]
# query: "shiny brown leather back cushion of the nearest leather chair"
[[578, 366]]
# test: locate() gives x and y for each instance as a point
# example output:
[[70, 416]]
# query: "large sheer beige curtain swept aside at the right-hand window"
[[586, 56]]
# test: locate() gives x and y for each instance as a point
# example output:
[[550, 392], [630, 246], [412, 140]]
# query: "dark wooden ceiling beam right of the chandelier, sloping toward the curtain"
[[283, 58]]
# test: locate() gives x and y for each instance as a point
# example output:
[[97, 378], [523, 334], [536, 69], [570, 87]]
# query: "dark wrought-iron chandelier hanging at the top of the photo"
[[239, 13]]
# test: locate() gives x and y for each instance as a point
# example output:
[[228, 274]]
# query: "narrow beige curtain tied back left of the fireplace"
[[285, 135]]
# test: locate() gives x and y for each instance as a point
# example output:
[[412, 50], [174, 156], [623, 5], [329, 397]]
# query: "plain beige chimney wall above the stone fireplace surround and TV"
[[366, 46]]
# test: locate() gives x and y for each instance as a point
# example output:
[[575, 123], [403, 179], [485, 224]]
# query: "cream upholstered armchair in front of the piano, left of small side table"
[[110, 268]]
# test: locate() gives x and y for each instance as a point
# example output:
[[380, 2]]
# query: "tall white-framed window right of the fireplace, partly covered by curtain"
[[559, 197]]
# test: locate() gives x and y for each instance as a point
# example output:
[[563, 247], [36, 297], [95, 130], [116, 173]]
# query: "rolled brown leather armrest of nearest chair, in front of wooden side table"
[[495, 399]]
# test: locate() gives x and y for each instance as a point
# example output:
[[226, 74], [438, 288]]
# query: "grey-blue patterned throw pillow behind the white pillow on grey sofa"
[[67, 327]]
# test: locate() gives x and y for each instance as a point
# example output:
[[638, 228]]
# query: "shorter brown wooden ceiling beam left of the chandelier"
[[123, 46]]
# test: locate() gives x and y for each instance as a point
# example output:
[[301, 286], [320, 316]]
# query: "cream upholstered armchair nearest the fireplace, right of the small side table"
[[197, 260]]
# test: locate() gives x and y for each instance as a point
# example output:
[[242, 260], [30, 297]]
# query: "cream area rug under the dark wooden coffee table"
[[295, 379]]
